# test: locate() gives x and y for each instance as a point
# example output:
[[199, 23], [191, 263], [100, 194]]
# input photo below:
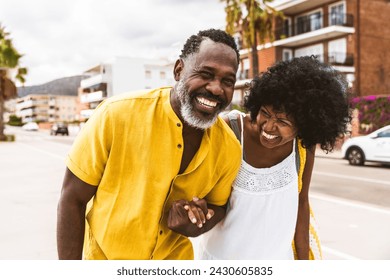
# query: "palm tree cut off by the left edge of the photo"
[[9, 60]]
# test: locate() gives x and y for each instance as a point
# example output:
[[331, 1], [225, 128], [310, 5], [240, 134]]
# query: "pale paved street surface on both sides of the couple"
[[352, 204]]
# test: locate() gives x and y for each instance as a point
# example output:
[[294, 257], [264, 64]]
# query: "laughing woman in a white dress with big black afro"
[[294, 106]]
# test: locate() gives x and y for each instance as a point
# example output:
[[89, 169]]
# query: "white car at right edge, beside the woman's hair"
[[373, 147]]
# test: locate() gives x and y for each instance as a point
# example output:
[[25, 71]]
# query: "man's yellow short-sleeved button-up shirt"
[[131, 149]]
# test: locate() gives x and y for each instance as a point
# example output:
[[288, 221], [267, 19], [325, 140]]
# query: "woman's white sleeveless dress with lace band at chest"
[[261, 215]]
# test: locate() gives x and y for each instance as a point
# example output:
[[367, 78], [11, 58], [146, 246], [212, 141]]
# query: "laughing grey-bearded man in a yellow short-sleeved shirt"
[[142, 154]]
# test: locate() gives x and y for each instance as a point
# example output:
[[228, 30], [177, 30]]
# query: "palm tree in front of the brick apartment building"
[[254, 19]]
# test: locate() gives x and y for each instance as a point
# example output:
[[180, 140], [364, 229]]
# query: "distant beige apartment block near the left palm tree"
[[46, 108]]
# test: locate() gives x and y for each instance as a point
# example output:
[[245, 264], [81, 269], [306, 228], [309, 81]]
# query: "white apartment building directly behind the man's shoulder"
[[119, 75]]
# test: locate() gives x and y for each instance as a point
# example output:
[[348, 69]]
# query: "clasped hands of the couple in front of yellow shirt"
[[189, 217]]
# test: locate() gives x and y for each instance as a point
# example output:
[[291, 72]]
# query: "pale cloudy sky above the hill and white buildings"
[[61, 38]]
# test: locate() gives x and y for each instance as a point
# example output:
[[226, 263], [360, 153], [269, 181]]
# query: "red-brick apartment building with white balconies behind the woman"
[[351, 35]]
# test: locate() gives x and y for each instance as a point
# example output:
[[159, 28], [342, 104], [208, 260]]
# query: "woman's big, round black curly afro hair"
[[312, 93]]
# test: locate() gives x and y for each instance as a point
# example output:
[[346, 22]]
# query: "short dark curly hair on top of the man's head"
[[219, 36]]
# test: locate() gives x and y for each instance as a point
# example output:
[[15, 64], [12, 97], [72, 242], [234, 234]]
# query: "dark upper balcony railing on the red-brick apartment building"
[[313, 22]]
